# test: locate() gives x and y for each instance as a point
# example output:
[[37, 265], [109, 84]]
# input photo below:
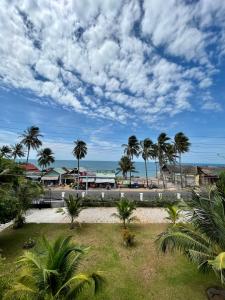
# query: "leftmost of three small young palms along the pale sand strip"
[[73, 207]]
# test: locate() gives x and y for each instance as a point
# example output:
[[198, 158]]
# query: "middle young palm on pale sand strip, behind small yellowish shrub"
[[125, 209]]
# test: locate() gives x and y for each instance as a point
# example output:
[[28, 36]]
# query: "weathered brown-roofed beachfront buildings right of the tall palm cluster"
[[192, 175]]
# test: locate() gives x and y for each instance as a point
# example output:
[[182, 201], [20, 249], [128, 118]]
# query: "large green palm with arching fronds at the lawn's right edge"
[[203, 239]]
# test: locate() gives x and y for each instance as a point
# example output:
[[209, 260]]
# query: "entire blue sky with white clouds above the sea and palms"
[[101, 71]]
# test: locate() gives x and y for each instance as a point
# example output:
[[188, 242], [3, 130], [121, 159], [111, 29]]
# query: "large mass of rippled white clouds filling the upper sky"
[[113, 59]]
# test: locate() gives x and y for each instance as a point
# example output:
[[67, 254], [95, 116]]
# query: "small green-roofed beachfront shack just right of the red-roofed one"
[[54, 176]]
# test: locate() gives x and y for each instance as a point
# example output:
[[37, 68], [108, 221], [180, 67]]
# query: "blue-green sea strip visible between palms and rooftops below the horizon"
[[111, 165]]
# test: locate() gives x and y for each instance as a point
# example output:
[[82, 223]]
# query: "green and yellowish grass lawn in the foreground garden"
[[135, 273]]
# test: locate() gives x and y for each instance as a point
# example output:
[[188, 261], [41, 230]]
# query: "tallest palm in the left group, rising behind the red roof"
[[31, 139]]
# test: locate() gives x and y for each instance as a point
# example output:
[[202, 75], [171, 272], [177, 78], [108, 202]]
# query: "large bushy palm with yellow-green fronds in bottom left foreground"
[[53, 273]]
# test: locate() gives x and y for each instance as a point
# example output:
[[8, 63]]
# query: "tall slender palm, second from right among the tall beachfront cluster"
[[162, 146]]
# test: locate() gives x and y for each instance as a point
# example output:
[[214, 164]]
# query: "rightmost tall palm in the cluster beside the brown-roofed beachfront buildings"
[[182, 145]]
